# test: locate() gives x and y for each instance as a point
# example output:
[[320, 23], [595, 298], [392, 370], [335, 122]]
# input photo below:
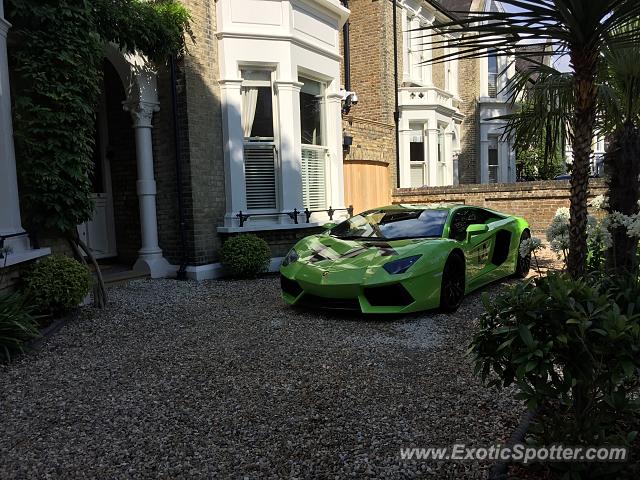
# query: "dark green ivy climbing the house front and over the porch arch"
[[55, 52]]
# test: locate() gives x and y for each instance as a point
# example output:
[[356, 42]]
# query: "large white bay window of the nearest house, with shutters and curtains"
[[282, 130]]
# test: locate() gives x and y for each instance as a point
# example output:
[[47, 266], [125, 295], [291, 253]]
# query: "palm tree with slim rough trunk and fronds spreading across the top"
[[577, 28]]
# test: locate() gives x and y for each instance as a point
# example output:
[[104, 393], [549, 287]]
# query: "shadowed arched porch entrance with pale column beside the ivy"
[[124, 224]]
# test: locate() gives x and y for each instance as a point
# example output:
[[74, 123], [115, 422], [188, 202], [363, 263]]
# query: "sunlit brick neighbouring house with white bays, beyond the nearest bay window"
[[445, 127]]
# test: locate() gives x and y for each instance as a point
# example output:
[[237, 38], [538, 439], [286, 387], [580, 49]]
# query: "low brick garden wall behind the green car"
[[537, 202]]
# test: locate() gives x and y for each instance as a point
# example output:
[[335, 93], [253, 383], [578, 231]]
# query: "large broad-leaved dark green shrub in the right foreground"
[[572, 346]]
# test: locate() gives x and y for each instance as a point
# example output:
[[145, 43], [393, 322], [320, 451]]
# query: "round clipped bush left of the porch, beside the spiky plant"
[[57, 284]]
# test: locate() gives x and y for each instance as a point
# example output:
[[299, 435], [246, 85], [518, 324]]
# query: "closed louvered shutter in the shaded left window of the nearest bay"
[[260, 175]]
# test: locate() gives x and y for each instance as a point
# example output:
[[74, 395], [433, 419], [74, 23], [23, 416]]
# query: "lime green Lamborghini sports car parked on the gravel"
[[404, 258]]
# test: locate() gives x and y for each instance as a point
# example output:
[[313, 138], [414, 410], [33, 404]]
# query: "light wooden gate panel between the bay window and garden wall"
[[366, 184]]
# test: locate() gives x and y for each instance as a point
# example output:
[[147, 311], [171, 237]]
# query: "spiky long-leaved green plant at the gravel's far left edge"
[[16, 325]]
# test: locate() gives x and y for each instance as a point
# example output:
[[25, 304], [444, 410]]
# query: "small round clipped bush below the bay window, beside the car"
[[245, 256]]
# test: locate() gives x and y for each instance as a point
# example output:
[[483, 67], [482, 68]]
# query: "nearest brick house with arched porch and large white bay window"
[[257, 139]]
